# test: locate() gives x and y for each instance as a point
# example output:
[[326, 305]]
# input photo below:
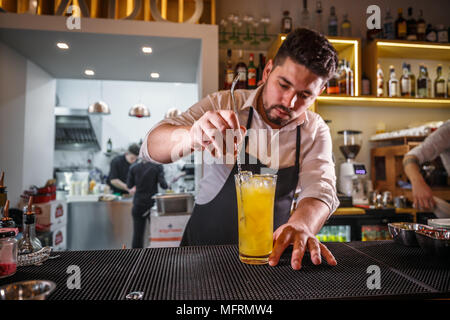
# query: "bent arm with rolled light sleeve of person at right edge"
[[435, 145]]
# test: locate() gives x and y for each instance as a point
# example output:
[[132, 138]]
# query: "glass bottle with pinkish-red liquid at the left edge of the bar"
[[8, 254]]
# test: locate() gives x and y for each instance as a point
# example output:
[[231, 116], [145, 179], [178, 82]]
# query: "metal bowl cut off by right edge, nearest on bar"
[[434, 241]]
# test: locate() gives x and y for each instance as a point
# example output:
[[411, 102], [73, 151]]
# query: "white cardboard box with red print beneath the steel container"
[[167, 230]]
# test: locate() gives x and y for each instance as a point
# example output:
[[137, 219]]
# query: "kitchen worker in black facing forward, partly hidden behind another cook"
[[118, 172]]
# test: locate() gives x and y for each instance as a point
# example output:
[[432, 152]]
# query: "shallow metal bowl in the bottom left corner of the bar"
[[27, 290]]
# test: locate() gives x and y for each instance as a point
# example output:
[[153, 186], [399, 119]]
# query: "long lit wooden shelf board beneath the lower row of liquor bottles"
[[370, 101]]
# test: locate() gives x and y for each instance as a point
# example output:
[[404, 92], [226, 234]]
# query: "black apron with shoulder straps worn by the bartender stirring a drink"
[[216, 222]]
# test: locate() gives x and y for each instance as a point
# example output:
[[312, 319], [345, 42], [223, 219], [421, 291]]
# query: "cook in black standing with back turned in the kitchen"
[[144, 176]]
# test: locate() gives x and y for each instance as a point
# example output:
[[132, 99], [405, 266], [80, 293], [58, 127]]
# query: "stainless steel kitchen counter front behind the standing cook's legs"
[[100, 225]]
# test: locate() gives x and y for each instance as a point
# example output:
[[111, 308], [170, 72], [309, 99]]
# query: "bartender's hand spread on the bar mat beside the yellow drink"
[[302, 239]]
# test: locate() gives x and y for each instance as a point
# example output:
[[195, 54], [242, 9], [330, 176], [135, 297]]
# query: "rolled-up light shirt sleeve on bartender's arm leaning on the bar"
[[317, 178]]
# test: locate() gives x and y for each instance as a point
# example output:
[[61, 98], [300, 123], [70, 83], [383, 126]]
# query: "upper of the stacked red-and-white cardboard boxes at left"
[[51, 215]]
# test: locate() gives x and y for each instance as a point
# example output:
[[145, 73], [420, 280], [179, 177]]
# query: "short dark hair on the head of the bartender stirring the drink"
[[310, 49]]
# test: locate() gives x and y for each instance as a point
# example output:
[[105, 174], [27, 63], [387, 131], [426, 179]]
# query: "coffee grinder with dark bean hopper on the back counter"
[[352, 174]]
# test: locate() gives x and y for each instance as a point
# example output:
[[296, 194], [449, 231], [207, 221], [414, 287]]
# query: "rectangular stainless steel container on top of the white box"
[[174, 203]]
